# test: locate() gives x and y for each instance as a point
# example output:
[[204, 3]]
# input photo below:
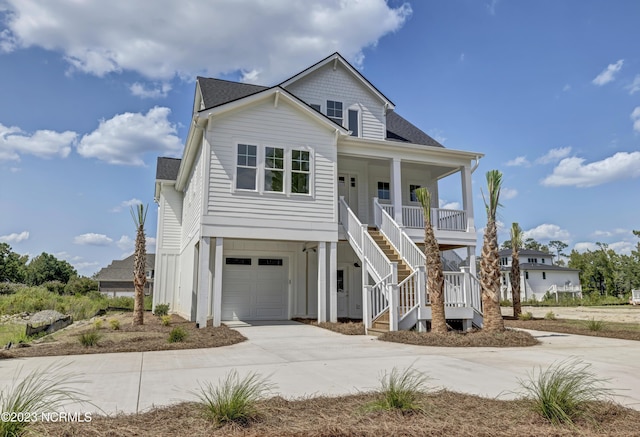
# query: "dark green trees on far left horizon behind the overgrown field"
[[44, 269]]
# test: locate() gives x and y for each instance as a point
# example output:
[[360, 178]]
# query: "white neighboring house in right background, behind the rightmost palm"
[[538, 276]]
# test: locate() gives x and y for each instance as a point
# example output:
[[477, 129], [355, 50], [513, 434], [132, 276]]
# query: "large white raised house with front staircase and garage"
[[297, 200]]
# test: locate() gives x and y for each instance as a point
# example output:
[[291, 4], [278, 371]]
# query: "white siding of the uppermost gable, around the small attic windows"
[[340, 85]]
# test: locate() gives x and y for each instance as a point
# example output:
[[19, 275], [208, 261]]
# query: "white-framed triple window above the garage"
[[279, 169]]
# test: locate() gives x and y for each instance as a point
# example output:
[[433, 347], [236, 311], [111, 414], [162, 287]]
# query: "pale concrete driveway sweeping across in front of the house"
[[303, 360]]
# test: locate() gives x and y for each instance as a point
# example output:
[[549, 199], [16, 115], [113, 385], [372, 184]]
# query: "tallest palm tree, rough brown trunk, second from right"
[[490, 262]]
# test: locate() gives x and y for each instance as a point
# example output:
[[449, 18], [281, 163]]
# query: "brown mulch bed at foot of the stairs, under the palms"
[[507, 338]]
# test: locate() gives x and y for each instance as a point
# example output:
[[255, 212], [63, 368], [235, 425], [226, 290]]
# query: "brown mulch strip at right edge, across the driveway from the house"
[[578, 327]]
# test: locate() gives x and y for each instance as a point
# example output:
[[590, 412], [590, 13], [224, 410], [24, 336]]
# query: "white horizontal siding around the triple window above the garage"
[[284, 126]]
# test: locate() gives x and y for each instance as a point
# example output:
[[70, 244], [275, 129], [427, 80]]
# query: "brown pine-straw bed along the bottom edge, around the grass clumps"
[[444, 413]]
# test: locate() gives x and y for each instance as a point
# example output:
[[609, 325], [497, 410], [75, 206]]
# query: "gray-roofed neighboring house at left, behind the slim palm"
[[117, 278]]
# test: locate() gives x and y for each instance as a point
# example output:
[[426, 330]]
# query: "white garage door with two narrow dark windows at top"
[[255, 288]]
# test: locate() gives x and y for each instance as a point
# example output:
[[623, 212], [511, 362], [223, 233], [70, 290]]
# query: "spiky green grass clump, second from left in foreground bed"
[[233, 399]]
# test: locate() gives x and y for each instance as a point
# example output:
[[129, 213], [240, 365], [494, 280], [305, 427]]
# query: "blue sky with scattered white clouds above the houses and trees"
[[91, 93]]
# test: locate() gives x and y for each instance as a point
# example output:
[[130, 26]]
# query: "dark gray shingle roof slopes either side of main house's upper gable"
[[217, 92]]
